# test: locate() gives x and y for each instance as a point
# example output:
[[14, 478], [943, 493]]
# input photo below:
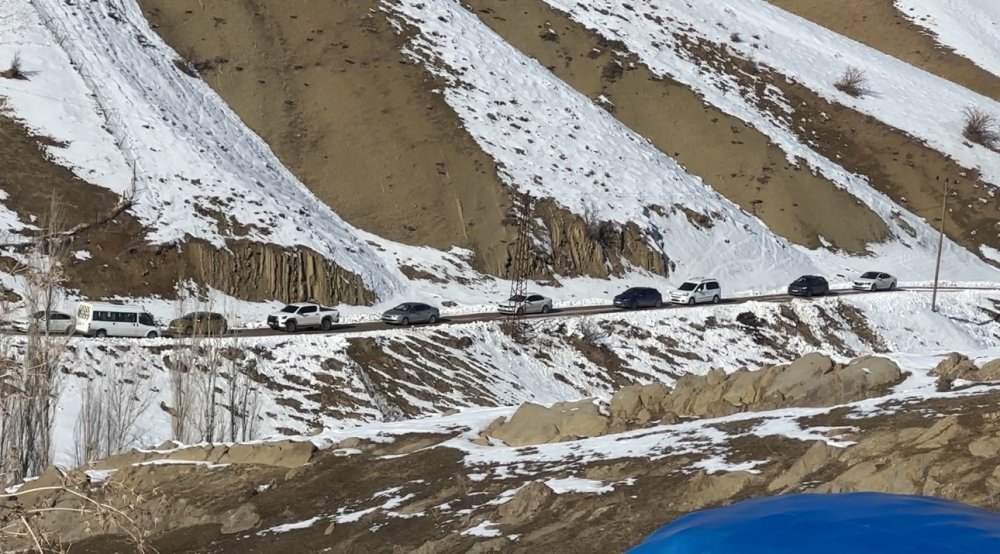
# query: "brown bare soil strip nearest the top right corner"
[[880, 25]]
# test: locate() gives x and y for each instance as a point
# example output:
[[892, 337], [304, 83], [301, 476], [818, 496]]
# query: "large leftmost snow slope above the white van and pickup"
[[101, 81]]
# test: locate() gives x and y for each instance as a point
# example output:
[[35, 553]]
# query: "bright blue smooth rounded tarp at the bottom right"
[[856, 523]]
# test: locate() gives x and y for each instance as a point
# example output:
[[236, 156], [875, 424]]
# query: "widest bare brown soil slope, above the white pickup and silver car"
[[325, 84]]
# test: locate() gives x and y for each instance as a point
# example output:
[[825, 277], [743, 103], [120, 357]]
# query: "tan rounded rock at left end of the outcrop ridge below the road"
[[535, 424]]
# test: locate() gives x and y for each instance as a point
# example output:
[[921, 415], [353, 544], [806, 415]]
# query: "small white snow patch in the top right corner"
[[970, 27]]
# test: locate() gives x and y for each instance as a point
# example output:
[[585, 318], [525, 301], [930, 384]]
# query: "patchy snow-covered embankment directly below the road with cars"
[[336, 382]]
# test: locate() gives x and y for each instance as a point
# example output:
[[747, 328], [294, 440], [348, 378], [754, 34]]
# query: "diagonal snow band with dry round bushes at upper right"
[[923, 105]]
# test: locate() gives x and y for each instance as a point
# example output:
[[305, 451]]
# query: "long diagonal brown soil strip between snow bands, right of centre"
[[731, 157]]
